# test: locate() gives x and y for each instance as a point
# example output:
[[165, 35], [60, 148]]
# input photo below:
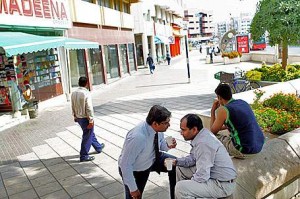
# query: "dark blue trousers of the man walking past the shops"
[[88, 139]]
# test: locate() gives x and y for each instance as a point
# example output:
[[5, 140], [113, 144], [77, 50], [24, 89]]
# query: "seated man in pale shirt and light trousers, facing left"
[[208, 171]]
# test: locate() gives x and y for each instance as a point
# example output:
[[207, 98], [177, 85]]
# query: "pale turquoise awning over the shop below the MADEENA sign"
[[18, 43]]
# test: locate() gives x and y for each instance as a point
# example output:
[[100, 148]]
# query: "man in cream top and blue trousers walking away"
[[82, 110]]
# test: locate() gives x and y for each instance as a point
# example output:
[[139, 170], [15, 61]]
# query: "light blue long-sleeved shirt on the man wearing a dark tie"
[[138, 152]]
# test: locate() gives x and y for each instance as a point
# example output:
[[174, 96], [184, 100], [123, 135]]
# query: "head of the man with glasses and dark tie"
[[159, 118]]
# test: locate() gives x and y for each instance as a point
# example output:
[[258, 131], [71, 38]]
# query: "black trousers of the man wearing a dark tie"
[[141, 177]]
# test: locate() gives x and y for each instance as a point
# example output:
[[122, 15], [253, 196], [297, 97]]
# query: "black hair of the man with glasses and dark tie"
[[158, 114]]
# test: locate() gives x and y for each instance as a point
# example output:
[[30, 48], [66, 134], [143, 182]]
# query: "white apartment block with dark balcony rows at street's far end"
[[200, 24]]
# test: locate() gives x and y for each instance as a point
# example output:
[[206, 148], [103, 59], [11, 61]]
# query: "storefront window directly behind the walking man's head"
[[77, 66]]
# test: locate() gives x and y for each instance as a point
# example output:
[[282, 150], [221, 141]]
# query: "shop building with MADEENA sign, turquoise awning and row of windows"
[[49, 44]]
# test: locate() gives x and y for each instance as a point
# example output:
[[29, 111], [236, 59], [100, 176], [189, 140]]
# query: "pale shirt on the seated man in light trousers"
[[210, 157]]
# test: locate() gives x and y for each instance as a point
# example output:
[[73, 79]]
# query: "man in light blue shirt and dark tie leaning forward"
[[142, 153]]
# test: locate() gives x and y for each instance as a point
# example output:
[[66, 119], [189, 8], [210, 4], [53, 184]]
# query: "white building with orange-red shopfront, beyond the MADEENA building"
[[157, 29]]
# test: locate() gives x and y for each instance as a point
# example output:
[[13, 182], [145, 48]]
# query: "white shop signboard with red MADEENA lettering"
[[37, 13]]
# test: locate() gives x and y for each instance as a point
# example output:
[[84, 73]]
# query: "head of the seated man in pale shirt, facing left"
[[190, 125]]
